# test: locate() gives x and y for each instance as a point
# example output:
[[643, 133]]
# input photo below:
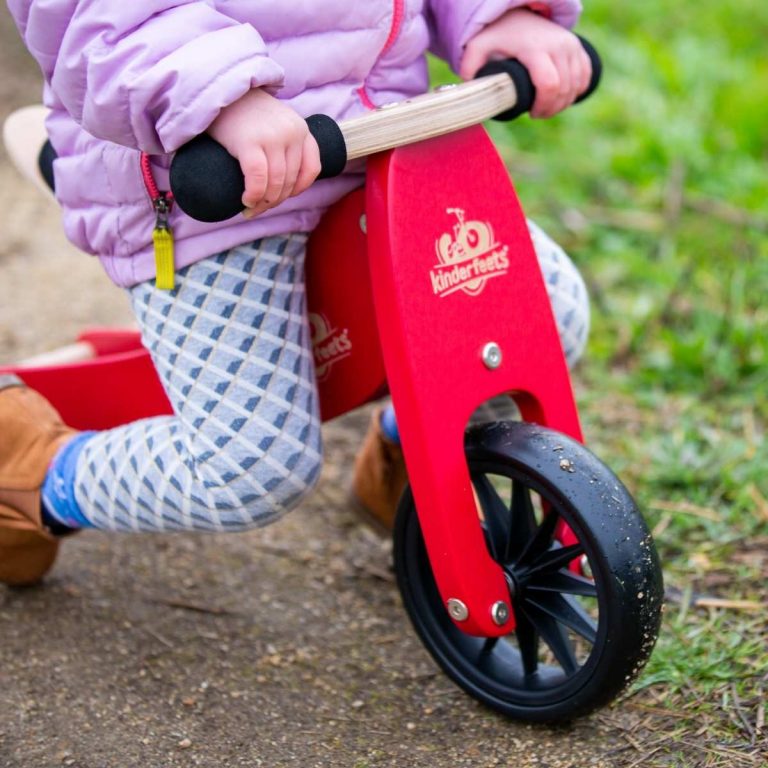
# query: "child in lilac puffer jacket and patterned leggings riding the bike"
[[230, 340]]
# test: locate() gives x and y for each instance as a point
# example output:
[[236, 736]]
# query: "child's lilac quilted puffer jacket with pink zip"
[[124, 76]]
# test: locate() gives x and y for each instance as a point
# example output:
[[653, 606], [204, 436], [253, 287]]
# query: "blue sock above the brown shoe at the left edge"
[[60, 508]]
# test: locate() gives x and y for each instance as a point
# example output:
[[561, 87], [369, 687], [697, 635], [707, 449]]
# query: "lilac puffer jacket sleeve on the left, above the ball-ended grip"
[[147, 74]]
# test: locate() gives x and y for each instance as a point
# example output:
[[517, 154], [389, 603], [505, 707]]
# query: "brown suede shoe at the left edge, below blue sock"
[[31, 431]]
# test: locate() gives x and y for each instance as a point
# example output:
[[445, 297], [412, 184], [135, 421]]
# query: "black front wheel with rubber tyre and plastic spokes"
[[625, 588]]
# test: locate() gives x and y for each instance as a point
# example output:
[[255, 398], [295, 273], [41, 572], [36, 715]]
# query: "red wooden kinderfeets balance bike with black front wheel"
[[523, 562]]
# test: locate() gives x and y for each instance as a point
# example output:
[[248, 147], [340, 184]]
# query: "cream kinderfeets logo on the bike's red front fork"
[[468, 257]]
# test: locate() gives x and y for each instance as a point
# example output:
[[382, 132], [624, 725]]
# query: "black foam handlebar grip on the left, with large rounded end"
[[207, 182]]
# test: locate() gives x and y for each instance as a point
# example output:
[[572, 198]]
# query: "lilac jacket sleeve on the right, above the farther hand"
[[453, 23]]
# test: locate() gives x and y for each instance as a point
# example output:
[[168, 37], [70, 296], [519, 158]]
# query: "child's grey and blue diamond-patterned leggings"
[[231, 345]]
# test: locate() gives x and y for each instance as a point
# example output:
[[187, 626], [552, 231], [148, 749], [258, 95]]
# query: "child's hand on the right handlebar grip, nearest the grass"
[[559, 67]]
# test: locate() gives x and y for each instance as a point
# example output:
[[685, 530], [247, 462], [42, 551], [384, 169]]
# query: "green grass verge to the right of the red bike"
[[657, 187]]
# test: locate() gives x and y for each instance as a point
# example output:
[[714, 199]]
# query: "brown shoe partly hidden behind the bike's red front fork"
[[379, 477]]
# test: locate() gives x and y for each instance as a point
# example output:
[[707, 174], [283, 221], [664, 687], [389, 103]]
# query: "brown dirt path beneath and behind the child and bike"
[[282, 647]]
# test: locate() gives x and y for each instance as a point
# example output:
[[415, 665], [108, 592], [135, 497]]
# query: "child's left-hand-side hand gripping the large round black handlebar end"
[[277, 154]]
